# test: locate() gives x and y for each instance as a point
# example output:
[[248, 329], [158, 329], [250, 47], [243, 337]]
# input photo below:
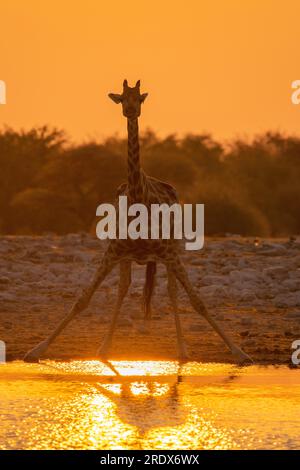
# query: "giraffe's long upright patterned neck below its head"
[[135, 179]]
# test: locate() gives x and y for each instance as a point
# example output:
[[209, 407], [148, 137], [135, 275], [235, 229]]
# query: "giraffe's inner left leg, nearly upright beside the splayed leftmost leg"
[[125, 281]]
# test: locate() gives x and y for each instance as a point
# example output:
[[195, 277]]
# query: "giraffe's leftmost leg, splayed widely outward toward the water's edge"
[[80, 304]]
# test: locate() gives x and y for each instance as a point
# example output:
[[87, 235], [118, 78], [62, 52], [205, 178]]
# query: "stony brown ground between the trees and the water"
[[251, 287]]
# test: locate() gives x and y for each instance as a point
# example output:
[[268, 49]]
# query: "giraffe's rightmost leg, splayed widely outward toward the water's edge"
[[198, 305]]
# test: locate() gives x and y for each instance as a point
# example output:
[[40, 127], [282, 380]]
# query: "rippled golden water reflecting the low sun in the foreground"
[[149, 405]]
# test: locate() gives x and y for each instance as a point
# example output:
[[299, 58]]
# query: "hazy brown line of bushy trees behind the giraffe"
[[49, 185]]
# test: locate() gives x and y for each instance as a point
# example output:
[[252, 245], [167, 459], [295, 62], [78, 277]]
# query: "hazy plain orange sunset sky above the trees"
[[223, 66]]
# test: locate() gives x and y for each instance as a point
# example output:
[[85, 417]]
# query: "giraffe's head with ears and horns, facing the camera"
[[131, 100]]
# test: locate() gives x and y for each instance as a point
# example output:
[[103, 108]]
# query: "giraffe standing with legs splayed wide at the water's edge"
[[140, 188]]
